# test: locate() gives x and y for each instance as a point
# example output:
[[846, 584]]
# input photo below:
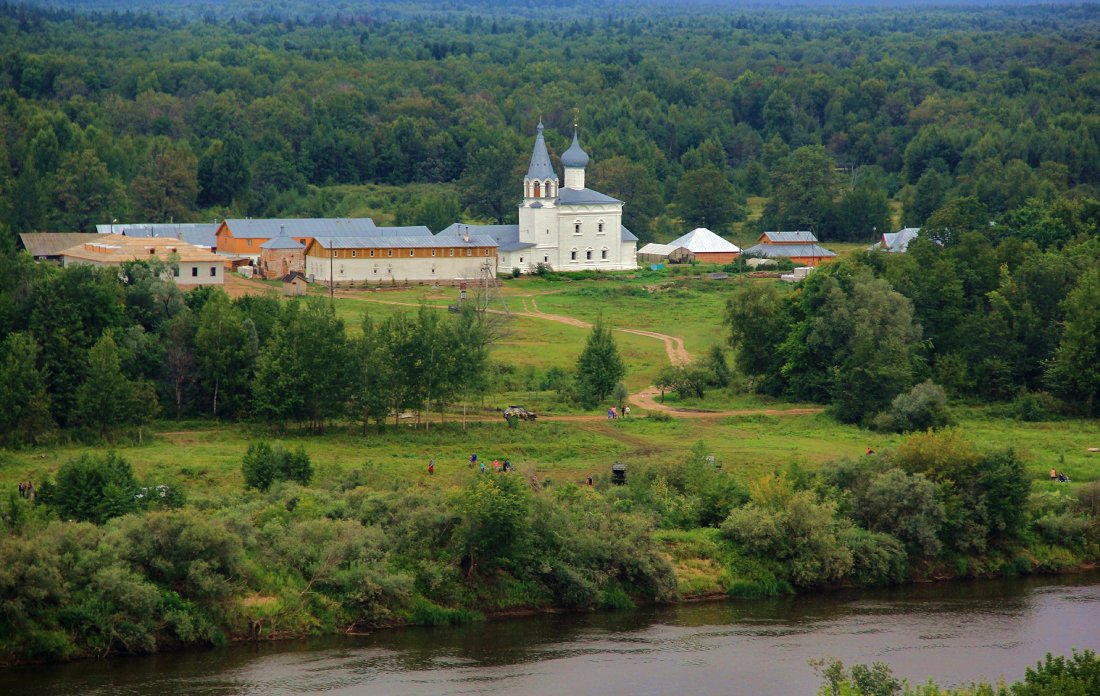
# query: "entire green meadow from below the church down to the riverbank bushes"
[[206, 457]]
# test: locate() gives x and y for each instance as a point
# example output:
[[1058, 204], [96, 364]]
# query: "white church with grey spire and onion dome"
[[567, 228]]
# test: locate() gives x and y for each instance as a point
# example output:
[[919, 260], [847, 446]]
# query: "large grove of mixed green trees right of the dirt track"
[[986, 319]]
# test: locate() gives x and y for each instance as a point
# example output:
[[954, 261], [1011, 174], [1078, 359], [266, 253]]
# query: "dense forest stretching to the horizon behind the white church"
[[140, 117]]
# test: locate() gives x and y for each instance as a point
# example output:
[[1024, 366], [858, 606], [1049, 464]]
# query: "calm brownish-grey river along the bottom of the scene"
[[954, 633]]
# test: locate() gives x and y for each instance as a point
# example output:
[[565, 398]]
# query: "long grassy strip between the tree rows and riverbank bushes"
[[206, 458]]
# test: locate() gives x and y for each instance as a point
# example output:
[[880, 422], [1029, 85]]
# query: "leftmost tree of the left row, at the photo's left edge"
[[26, 418]]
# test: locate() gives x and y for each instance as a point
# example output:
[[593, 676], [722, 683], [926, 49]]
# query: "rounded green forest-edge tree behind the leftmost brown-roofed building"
[[84, 193]]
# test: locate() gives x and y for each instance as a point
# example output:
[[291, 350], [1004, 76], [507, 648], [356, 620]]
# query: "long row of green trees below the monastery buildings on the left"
[[95, 355]]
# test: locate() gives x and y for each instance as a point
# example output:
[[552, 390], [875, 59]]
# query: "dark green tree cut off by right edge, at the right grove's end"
[[1075, 371]]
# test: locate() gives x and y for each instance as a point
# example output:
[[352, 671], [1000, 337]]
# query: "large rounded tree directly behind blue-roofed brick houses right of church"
[[804, 187]]
